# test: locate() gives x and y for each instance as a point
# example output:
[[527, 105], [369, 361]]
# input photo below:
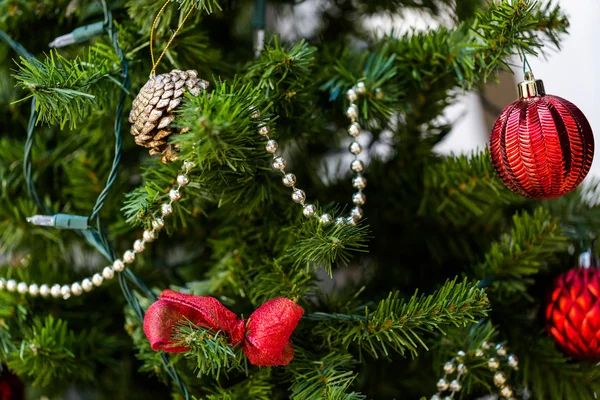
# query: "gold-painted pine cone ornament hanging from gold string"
[[153, 110]]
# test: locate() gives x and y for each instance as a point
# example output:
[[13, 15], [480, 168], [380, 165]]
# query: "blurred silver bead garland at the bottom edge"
[[495, 356]]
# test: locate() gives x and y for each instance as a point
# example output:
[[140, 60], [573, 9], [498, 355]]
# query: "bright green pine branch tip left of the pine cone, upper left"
[[67, 91]]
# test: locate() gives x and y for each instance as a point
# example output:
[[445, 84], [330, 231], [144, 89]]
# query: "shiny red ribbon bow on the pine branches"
[[264, 337]]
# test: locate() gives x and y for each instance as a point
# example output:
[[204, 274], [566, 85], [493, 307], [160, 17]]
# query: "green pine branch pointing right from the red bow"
[[397, 325]]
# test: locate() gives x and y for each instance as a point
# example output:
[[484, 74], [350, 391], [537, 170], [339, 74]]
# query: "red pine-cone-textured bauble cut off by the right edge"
[[573, 313]]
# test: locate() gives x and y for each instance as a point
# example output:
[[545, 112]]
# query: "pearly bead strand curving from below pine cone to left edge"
[[119, 265]]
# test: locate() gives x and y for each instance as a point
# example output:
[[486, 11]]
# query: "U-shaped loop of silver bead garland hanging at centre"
[[358, 182]]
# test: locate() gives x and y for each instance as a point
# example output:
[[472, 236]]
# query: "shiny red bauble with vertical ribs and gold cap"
[[542, 146]]
